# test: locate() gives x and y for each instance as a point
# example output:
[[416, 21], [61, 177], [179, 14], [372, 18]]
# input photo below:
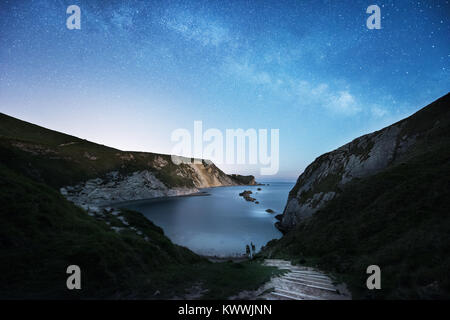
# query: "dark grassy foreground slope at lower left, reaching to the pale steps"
[[41, 234]]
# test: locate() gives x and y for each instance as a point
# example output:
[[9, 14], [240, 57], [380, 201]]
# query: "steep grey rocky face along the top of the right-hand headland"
[[323, 179]]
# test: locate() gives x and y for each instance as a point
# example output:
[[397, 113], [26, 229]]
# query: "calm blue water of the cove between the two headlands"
[[219, 224]]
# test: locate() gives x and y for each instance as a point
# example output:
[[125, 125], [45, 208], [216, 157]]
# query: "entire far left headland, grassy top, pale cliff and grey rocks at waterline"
[[91, 174]]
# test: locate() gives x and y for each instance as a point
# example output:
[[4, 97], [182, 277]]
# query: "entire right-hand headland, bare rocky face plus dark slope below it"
[[382, 200]]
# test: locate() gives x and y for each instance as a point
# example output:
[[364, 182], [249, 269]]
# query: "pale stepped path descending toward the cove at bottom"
[[302, 283]]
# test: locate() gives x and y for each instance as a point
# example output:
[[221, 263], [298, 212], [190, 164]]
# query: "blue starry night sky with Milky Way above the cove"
[[137, 70]]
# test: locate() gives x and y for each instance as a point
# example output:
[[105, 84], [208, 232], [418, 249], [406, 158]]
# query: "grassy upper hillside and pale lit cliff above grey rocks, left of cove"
[[58, 159]]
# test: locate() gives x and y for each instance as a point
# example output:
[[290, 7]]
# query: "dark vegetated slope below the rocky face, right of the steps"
[[398, 219]]
